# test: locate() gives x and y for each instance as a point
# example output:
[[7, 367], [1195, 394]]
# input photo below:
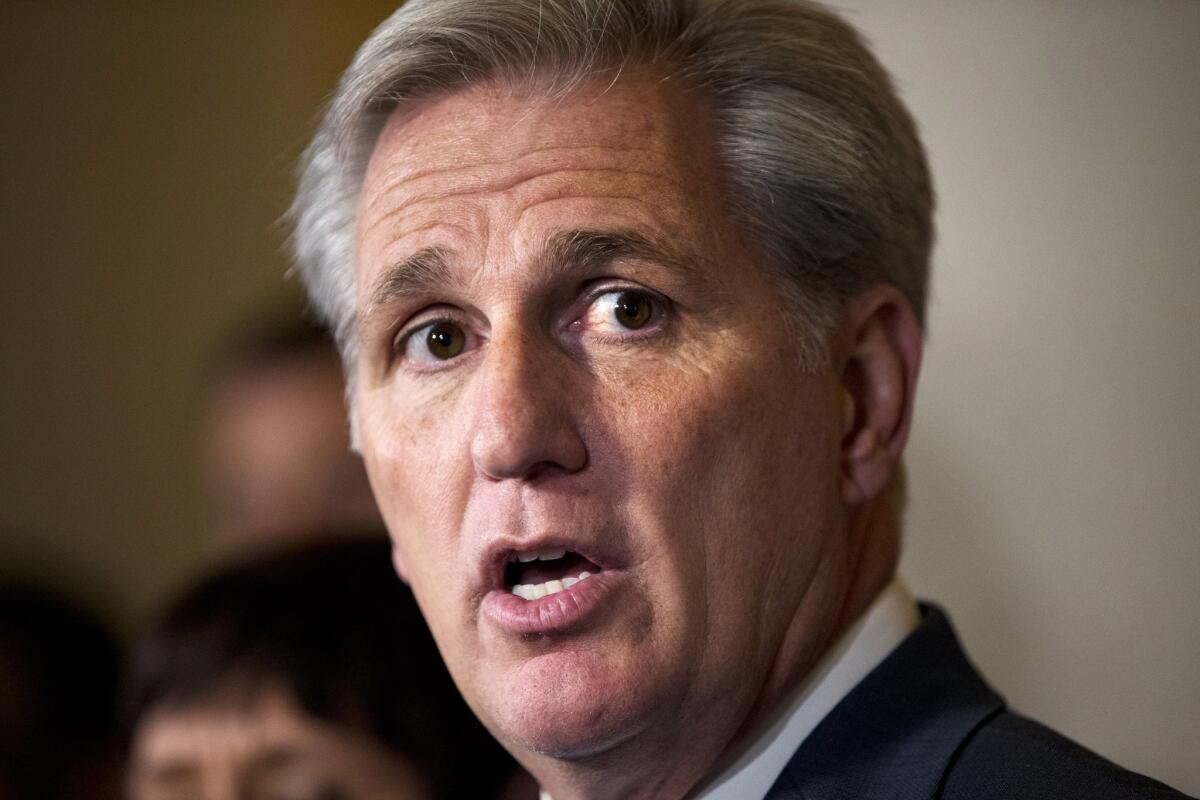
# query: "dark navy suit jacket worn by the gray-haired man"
[[925, 725]]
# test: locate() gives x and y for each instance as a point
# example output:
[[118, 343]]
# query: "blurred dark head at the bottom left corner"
[[59, 671]]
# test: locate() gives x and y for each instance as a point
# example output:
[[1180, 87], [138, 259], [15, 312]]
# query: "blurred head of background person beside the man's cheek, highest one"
[[277, 449]]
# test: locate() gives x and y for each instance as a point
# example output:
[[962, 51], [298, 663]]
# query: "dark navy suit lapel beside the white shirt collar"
[[896, 735]]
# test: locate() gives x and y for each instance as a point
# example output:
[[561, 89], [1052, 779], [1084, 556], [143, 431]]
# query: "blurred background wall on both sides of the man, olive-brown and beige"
[[147, 157]]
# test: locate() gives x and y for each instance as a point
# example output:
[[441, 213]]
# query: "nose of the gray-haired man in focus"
[[525, 423]]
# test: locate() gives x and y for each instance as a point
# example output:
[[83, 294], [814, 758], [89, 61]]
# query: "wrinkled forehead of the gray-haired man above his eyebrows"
[[638, 152]]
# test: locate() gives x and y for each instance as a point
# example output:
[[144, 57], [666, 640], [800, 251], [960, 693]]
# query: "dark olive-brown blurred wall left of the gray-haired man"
[[147, 155]]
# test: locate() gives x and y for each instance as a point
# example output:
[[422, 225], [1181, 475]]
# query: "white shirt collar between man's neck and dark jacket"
[[892, 617]]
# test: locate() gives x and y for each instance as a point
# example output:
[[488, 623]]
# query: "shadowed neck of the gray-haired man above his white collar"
[[653, 767]]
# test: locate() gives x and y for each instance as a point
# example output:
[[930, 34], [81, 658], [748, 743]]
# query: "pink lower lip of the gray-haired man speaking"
[[560, 613]]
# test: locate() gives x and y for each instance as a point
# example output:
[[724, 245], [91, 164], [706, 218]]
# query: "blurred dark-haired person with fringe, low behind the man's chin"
[[307, 675]]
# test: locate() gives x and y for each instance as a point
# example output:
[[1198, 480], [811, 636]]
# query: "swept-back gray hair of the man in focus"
[[827, 176]]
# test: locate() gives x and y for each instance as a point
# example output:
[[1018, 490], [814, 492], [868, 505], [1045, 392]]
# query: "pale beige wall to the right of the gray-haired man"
[[1057, 453]]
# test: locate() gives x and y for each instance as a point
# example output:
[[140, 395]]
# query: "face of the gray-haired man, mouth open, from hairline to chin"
[[568, 347]]
